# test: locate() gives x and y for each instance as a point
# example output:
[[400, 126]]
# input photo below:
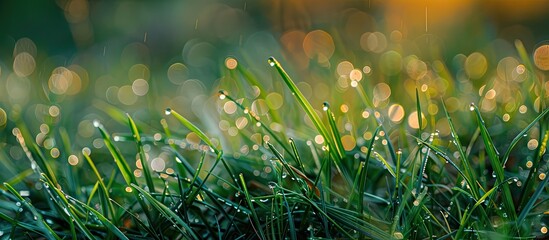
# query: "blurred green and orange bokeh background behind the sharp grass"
[[66, 63]]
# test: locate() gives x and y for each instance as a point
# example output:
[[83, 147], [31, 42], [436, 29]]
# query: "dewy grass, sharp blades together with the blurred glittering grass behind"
[[393, 143]]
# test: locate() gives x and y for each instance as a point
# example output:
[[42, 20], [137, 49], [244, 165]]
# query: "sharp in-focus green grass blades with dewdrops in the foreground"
[[431, 189]]
